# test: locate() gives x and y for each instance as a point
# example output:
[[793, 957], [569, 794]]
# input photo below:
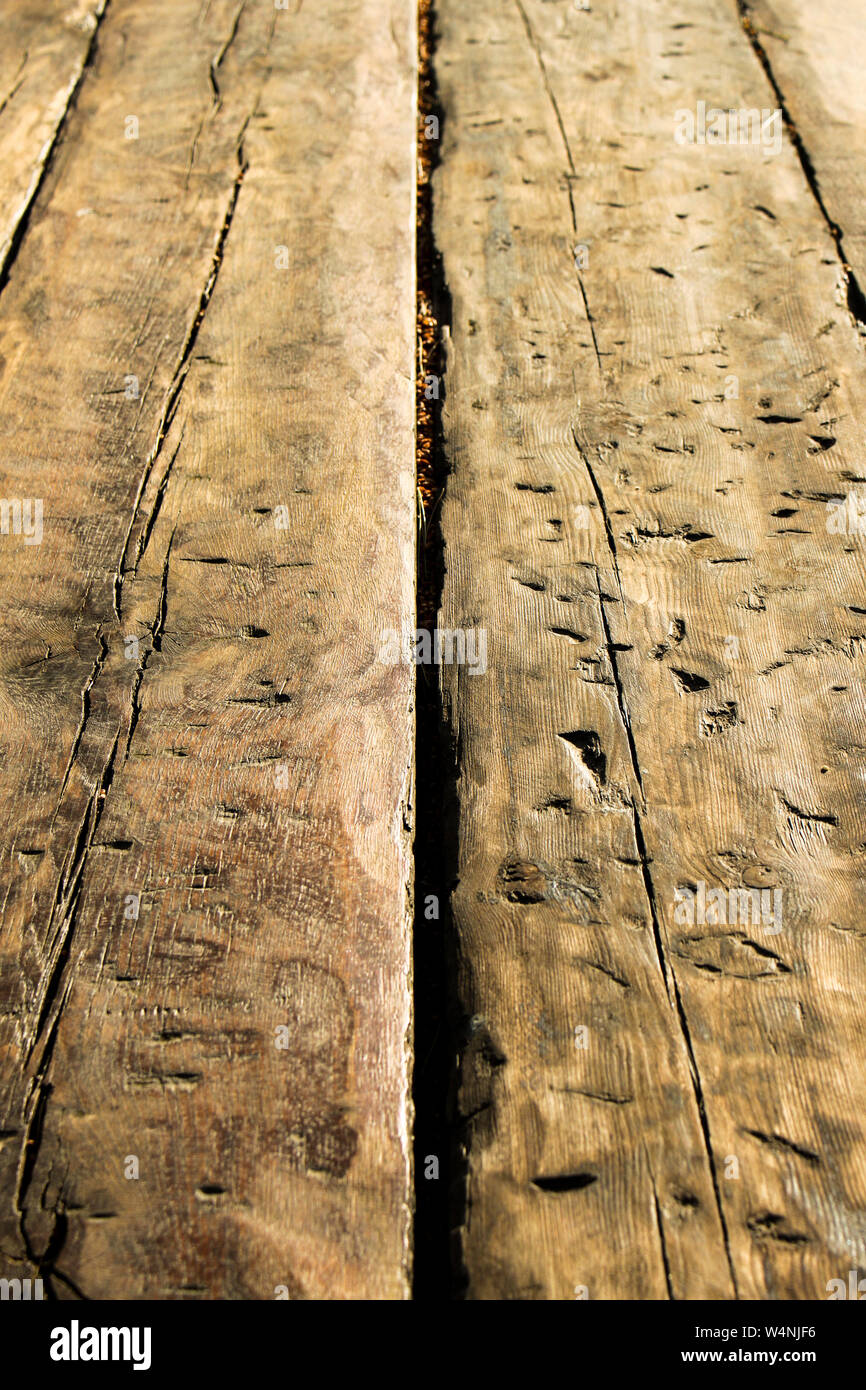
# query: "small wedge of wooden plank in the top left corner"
[[47, 49]]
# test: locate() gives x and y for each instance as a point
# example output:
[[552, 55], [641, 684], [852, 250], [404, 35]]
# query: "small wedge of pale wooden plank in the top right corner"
[[815, 62]]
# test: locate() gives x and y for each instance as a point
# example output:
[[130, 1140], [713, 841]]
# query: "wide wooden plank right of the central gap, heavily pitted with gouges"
[[643, 437]]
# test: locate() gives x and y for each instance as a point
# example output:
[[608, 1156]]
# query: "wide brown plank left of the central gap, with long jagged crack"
[[206, 915]]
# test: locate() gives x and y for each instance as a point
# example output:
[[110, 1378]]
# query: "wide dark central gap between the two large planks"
[[436, 1168]]
